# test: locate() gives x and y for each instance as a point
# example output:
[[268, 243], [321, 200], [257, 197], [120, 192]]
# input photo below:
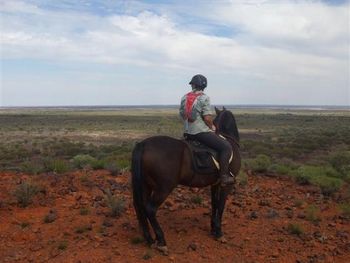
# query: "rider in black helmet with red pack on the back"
[[195, 110]]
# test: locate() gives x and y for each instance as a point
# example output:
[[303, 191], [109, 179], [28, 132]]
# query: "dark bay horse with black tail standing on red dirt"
[[160, 163]]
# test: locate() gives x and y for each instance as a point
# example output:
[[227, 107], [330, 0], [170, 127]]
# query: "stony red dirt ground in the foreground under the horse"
[[255, 223]]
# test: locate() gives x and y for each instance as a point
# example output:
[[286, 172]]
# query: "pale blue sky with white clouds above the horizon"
[[126, 52]]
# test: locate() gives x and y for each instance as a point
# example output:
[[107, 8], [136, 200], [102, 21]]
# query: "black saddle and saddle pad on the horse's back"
[[204, 158]]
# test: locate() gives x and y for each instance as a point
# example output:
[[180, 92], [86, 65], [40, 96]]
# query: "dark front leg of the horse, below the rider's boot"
[[218, 198]]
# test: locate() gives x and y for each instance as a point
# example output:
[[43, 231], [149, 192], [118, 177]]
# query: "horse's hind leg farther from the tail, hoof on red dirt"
[[157, 198]]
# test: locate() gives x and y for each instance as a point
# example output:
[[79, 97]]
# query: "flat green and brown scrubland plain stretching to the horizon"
[[311, 147]]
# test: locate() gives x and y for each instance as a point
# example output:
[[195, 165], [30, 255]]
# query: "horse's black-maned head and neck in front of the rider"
[[225, 123]]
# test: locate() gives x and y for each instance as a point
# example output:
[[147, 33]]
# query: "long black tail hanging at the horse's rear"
[[137, 183]]
